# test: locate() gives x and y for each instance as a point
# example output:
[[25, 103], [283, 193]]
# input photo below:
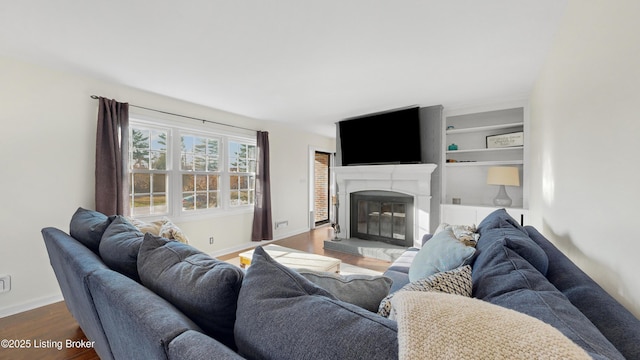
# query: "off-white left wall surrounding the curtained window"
[[47, 163]]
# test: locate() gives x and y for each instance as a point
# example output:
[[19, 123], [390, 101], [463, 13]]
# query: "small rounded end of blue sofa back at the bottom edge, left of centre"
[[195, 345]]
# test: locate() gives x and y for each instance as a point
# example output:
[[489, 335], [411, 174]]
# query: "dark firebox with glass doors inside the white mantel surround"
[[382, 216]]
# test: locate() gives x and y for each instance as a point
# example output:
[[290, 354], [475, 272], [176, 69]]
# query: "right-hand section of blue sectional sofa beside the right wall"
[[518, 268]]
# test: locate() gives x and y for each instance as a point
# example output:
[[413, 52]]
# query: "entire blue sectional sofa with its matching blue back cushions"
[[139, 296]]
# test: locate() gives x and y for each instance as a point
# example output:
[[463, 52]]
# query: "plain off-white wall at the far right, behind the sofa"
[[585, 136]]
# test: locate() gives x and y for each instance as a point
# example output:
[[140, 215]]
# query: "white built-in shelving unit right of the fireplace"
[[465, 169]]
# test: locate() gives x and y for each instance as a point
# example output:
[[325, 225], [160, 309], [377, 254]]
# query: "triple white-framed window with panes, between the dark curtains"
[[178, 171]]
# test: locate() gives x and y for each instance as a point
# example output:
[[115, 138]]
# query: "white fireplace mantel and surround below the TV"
[[410, 179]]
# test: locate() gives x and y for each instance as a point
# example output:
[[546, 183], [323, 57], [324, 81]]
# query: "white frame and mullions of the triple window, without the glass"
[[176, 128]]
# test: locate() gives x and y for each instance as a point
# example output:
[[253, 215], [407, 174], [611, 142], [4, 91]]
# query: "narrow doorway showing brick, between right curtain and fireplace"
[[321, 188]]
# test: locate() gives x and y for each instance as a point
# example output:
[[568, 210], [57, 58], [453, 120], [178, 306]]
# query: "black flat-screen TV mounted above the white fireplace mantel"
[[386, 138]]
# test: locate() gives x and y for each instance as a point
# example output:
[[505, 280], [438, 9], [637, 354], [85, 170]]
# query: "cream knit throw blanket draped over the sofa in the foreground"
[[433, 325]]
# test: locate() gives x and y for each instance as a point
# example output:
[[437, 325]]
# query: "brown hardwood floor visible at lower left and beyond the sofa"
[[52, 325]]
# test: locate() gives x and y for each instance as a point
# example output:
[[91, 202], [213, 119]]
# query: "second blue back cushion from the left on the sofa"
[[119, 247]]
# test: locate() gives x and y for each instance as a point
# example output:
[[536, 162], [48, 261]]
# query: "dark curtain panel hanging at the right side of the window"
[[262, 228]]
